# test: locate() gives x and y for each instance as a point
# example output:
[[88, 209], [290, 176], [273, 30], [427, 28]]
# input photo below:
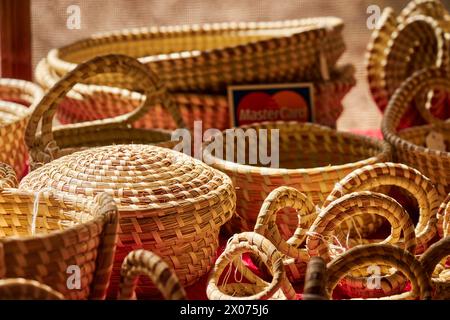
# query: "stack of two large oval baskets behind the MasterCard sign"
[[197, 63]]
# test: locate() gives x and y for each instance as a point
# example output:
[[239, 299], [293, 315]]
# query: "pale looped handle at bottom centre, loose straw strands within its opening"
[[250, 242]]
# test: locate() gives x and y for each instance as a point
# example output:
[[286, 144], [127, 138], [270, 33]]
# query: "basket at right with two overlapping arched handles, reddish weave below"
[[348, 200]]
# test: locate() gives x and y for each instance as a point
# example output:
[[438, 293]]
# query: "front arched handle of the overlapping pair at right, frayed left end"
[[326, 225]]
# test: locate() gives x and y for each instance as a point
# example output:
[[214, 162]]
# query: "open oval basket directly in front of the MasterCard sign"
[[312, 159]]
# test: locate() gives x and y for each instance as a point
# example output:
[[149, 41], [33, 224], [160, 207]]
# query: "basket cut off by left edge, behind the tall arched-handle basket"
[[15, 97]]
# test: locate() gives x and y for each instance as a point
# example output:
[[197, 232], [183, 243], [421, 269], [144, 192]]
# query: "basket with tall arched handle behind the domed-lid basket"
[[51, 144]]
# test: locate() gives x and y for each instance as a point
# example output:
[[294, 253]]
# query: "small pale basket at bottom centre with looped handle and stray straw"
[[254, 288]]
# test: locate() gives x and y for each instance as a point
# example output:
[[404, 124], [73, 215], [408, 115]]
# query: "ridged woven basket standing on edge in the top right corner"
[[403, 44]]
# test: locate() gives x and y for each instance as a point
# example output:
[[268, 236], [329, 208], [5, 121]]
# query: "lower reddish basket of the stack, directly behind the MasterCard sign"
[[92, 102]]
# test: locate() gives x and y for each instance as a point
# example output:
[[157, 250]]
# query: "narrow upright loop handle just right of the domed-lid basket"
[[266, 225]]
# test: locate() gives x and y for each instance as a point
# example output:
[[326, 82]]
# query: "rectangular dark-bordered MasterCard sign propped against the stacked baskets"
[[280, 102]]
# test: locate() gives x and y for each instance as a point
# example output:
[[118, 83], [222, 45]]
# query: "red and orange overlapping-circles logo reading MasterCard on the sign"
[[284, 105]]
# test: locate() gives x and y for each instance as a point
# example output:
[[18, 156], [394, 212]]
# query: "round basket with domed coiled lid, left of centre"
[[169, 203]]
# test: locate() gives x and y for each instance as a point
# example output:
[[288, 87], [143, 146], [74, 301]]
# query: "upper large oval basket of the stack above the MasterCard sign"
[[202, 58]]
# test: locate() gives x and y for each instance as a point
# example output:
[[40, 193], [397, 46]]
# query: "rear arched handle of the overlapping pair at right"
[[400, 175]]
